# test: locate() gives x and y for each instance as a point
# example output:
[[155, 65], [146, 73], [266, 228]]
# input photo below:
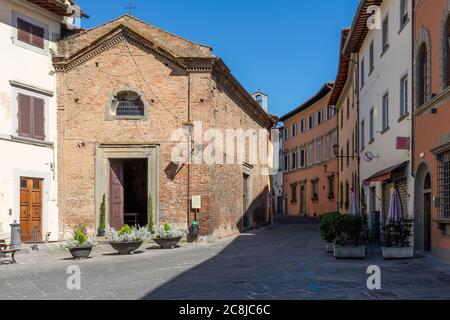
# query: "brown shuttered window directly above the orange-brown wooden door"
[[31, 117]]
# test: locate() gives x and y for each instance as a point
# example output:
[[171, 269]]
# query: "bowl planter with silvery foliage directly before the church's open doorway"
[[127, 240]]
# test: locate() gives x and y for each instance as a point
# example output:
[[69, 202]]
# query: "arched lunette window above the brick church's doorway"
[[128, 103]]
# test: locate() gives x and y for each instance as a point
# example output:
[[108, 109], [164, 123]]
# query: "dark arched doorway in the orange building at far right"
[[422, 206]]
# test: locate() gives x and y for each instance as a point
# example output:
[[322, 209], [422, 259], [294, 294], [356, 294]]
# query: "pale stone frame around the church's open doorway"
[[105, 152]]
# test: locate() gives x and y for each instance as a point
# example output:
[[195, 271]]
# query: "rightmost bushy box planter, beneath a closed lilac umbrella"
[[396, 239]]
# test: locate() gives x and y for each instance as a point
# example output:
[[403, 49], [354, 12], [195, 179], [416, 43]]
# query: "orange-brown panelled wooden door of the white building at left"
[[30, 209]]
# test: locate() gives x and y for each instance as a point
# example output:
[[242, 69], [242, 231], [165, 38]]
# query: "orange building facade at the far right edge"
[[431, 64]]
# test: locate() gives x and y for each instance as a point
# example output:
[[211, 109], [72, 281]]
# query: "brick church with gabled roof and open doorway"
[[123, 89]]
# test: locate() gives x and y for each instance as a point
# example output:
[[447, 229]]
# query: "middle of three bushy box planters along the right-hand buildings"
[[348, 238]]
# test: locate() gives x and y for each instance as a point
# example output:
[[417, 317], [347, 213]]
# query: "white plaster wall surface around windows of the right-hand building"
[[389, 69]]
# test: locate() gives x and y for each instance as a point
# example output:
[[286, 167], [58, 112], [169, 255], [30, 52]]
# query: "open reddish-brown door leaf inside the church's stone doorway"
[[116, 195]]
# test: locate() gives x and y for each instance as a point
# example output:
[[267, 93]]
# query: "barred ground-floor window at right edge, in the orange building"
[[444, 184]]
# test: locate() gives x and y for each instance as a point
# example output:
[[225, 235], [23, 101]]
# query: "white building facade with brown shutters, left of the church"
[[29, 31]]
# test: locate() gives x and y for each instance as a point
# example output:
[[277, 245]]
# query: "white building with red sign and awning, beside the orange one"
[[385, 86]]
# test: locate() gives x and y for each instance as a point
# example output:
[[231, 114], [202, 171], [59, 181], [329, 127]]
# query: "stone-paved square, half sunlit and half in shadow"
[[284, 261]]
